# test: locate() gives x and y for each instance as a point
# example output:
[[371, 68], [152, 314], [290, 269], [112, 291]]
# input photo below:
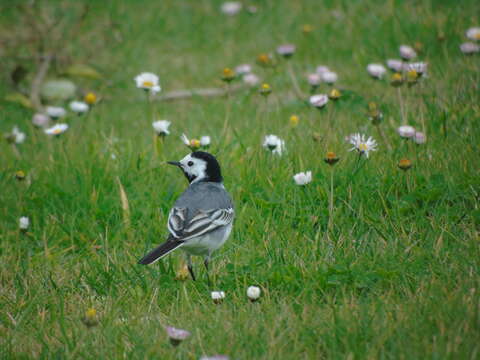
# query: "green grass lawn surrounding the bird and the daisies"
[[395, 277]]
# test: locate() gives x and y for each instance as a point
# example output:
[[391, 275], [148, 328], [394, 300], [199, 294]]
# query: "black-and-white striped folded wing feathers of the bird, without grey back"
[[203, 222]]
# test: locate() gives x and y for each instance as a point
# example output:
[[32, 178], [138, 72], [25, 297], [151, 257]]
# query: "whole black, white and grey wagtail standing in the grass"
[[201, 218]]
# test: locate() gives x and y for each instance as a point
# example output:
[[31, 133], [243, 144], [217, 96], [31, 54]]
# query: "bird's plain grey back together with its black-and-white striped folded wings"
[[201, 209]]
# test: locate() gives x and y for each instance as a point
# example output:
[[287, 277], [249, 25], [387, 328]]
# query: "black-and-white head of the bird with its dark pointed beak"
[[199, 166]]
